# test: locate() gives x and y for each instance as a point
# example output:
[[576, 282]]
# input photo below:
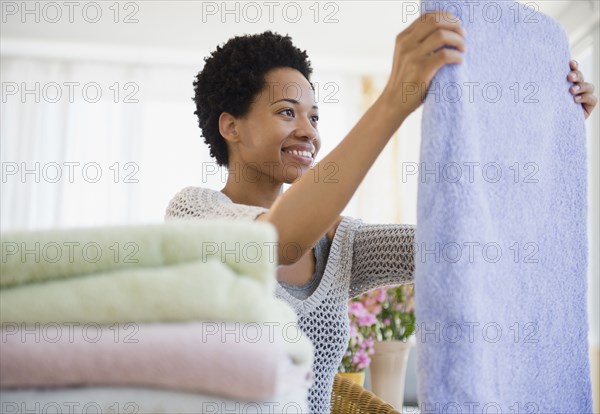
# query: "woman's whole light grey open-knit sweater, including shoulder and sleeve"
[[361, 257]]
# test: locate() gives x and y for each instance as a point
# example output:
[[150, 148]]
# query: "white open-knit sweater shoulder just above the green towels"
[[203, 203]]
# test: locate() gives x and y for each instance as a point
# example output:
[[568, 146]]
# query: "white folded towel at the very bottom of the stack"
[[142, 401]]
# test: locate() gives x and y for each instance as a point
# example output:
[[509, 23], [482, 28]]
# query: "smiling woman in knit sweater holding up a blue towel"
[[265, 132]]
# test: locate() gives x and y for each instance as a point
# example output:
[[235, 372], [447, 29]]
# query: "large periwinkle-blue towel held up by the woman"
[[501, 235]]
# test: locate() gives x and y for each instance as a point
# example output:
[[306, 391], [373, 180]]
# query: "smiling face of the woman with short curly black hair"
[[282, 118]]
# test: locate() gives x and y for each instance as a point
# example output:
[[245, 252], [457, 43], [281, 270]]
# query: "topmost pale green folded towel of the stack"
[[34, 256]]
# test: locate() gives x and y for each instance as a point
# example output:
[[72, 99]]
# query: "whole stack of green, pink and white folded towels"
[[166, 318]]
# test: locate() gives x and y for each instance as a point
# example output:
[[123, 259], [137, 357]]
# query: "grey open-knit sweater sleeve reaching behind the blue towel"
[[383, 254]]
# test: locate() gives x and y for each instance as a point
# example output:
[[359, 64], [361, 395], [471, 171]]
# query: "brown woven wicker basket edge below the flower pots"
[[350, 398]]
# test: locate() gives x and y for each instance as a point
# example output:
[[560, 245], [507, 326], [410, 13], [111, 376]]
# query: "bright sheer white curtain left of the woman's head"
[[88, 144]]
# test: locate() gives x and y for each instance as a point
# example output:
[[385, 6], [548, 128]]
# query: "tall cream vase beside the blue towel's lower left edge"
[[388, 370]]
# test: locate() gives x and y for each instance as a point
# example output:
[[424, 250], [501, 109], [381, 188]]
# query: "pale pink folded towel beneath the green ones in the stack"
[[239, 361]]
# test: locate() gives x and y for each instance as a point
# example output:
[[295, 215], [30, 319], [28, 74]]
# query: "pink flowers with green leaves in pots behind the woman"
[[382, 314]]
